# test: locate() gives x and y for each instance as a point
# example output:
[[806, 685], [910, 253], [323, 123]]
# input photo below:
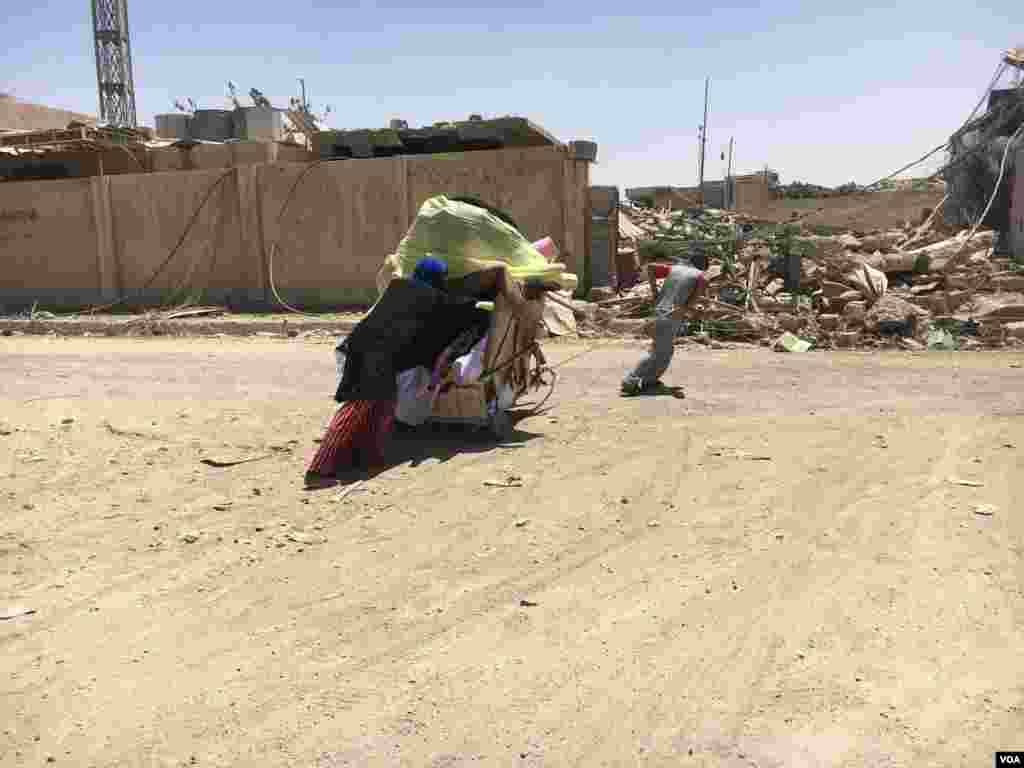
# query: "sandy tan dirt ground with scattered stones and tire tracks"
[[781, 570]]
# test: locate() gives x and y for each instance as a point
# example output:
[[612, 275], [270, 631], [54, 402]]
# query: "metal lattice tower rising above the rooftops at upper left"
[[114, 76]]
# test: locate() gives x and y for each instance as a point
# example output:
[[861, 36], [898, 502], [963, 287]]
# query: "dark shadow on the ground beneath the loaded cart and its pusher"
[[439, 442]]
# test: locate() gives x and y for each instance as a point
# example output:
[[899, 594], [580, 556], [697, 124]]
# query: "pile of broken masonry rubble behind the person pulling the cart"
[[915, 288]]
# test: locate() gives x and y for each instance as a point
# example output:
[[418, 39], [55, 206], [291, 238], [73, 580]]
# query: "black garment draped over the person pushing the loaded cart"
[[410, 326]]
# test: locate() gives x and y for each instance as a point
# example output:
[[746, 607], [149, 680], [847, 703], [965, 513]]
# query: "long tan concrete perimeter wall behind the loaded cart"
[[87, 242]]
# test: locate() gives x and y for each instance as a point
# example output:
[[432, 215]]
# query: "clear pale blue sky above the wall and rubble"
[[824, 93]]
